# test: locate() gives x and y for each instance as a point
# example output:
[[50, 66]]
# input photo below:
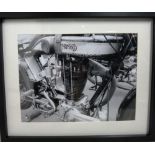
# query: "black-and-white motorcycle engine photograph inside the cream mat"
[[77, 77]]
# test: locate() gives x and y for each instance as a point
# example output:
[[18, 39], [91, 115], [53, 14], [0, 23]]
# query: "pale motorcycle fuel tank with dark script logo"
[[90, 46]]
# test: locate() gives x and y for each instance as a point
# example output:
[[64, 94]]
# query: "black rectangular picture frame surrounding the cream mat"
[[3, 117]]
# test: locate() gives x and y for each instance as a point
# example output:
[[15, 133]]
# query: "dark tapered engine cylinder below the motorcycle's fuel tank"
[[75, 76]]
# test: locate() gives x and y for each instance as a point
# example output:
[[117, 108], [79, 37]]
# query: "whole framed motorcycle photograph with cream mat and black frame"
[[77, 76]]
